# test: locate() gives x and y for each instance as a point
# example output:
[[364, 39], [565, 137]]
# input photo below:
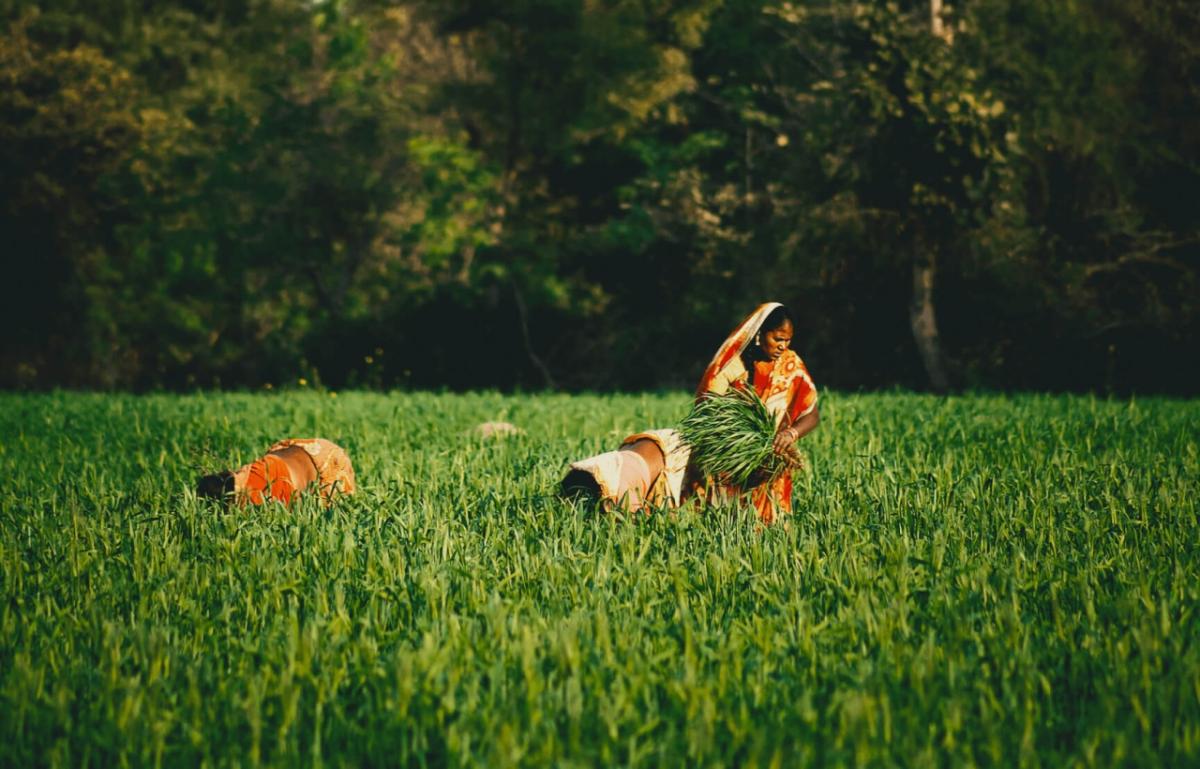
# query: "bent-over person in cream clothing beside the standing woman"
[[646, 472]]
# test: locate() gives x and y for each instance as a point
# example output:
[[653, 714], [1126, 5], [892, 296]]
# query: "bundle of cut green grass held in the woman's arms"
[[731, 437]]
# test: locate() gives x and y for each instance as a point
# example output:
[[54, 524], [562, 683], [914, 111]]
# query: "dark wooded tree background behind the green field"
[[590, 195]]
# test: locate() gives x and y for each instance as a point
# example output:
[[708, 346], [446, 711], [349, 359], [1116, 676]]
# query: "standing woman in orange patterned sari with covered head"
[[759, 356]]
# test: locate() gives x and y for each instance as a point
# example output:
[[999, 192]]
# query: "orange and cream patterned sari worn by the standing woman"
[[789, 393]]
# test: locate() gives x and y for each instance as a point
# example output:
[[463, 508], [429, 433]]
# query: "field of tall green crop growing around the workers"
[[969, 581]]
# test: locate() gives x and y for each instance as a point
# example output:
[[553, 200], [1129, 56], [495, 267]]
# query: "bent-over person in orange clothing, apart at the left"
[[289, 468]]
